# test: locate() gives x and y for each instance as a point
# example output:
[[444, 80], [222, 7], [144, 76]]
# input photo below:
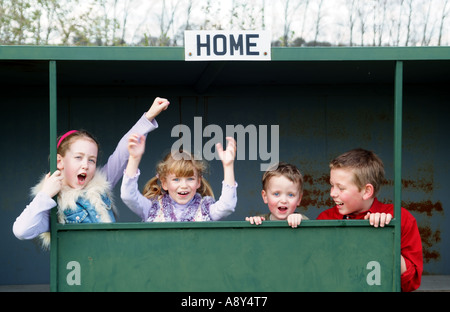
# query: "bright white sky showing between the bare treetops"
[[334, 18]]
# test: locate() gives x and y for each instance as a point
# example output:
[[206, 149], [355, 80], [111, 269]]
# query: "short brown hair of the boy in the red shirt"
[[366, 166]]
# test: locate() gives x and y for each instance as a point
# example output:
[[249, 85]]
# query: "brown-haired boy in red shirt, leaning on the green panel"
[[356, 178]]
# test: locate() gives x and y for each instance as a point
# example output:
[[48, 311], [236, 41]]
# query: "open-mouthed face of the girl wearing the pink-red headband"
[[79, 164]]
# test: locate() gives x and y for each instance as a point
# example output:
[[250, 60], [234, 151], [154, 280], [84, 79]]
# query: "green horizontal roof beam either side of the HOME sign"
[[177, 53]]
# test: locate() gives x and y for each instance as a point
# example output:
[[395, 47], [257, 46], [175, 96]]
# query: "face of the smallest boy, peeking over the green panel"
[[282, 196]]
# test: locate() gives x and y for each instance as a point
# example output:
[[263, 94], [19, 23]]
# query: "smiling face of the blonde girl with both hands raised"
[[181, 189]]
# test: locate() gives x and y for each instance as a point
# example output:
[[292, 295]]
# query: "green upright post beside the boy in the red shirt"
[[398, 168]]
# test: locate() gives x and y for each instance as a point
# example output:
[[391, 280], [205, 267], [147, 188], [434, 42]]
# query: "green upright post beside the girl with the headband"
[[53, 107]]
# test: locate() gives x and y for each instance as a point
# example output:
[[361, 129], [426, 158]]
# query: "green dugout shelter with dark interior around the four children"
[[325, 101]]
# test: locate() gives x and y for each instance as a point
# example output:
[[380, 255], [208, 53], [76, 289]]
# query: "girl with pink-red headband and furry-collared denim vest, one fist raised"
[[83, 191]]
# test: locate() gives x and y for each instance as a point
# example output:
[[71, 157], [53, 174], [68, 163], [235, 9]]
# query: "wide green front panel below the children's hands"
[[226, 256]]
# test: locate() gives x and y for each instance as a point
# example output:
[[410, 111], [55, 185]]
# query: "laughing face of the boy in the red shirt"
[[347, 196]]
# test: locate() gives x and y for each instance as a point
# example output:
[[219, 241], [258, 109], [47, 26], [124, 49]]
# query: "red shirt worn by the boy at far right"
[[411, 244]]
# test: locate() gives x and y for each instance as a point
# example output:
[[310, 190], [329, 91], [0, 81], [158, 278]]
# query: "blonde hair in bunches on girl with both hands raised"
[[181, 164]]
